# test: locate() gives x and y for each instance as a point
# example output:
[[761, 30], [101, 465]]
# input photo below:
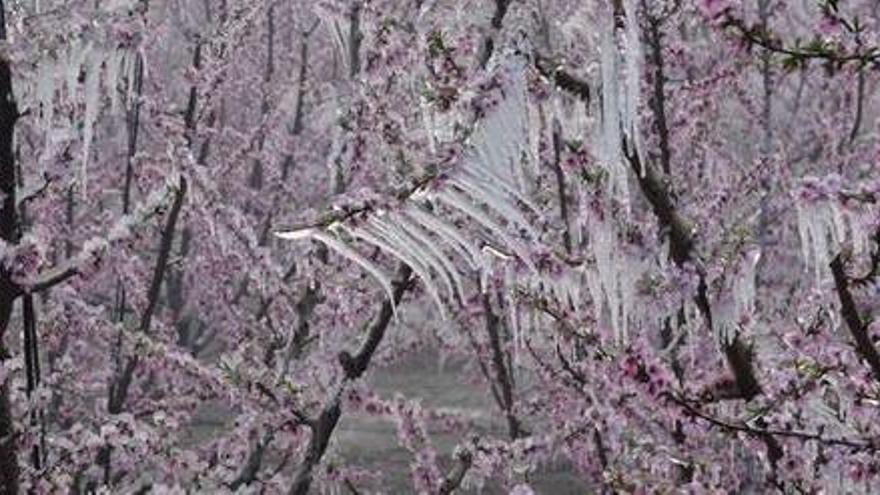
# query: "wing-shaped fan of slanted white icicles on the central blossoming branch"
[[489, 186]]
